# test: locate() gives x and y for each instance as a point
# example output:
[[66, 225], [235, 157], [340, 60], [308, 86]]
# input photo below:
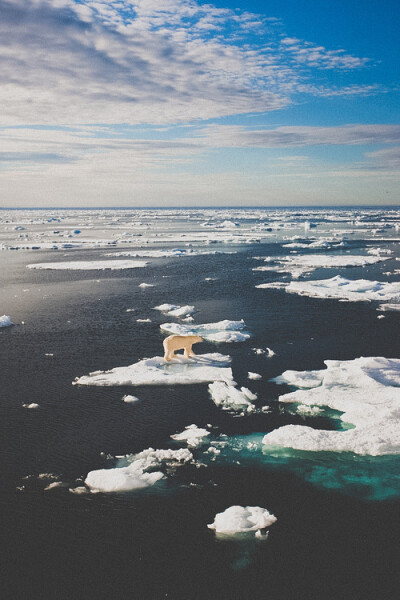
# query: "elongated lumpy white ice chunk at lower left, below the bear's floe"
[[139, 473]]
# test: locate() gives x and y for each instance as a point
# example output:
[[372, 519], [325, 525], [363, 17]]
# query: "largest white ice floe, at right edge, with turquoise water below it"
[[365, 390]]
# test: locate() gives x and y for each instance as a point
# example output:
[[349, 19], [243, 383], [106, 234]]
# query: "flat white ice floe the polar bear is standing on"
[[157, 371]]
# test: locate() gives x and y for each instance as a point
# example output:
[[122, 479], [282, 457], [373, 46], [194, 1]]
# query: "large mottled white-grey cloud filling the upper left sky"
[[148, 61]]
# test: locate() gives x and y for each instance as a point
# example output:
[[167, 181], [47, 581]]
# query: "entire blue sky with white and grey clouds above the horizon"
[[141, 103]]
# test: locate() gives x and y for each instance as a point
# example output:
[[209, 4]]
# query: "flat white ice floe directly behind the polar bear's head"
[[222, 331]]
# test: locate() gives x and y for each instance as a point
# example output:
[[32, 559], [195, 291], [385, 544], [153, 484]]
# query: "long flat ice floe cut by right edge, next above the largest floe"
[[341, 289]]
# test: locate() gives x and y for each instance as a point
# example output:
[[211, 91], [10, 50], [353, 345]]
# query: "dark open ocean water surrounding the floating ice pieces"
[[332, 541]]
